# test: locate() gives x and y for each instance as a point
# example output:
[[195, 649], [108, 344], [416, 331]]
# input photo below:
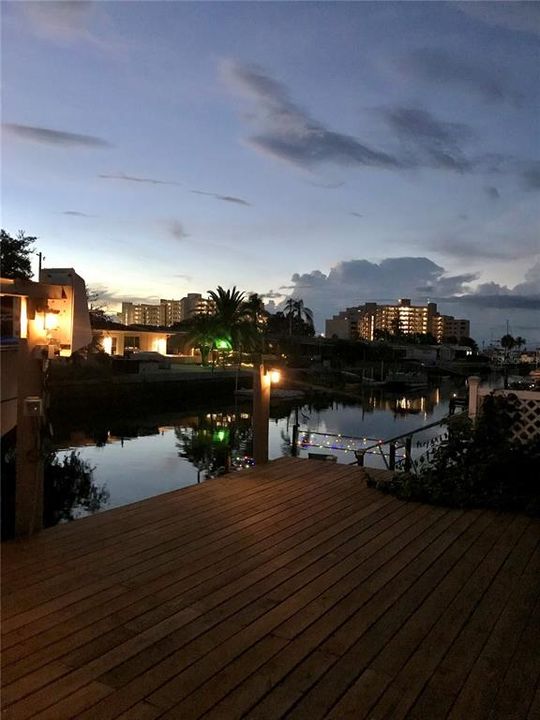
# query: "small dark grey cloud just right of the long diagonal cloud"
[[427, 140]]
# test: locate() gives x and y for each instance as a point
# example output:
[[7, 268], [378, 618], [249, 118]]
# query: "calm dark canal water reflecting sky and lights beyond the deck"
[[131, 459]]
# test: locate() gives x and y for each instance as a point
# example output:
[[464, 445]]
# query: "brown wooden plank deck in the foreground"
[[289, 591]]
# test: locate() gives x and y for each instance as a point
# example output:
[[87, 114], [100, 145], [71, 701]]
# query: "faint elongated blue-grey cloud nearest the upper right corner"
[[437, 67]]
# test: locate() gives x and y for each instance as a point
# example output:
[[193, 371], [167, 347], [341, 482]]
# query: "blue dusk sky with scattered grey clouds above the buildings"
[[332, 151]]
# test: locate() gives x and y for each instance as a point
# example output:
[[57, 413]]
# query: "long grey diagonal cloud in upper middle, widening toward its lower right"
[[288, 133]]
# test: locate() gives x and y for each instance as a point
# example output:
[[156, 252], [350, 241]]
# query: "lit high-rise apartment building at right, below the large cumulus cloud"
[[361, 322]]
